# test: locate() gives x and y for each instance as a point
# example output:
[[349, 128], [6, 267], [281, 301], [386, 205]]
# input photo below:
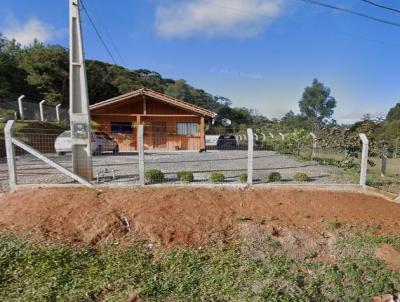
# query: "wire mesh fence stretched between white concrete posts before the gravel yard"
[[184, 154]]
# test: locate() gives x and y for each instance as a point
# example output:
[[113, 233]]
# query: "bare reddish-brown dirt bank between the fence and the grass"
[[191, 216]]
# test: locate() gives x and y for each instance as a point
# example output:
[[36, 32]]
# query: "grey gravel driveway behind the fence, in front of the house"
[[231, 163]]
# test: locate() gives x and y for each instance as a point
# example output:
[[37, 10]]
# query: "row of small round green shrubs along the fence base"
[[157, 176]]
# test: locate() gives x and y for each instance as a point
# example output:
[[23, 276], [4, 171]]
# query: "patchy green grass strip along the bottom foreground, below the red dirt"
[[37, 271]]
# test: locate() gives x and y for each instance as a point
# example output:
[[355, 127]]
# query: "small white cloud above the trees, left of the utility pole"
[[26, 32]]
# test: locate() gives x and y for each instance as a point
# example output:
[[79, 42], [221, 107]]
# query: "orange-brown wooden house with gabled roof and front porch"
[[169, 123]]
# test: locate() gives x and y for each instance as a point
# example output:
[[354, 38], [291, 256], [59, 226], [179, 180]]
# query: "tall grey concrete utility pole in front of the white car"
[[79, 99]]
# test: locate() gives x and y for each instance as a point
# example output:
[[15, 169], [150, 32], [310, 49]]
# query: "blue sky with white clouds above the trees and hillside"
[[261, 54]]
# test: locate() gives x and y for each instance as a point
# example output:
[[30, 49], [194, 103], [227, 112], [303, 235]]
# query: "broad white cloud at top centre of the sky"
[[238, 18]]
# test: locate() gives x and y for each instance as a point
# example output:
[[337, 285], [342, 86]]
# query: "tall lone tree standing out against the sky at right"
[[317, 104]]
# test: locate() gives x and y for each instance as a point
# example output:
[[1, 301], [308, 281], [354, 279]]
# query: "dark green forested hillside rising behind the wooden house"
[[42, 72]]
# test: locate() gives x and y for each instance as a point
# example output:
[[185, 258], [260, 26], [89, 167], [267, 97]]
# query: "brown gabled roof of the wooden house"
[[158, 96]]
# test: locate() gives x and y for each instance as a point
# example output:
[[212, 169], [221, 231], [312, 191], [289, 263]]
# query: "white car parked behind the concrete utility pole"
[[99, 142]]
